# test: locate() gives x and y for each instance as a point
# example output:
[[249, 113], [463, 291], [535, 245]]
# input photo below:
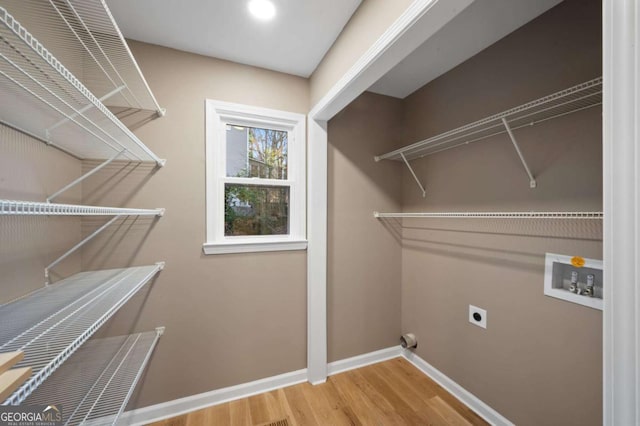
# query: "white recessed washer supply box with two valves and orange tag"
[[558, 273]]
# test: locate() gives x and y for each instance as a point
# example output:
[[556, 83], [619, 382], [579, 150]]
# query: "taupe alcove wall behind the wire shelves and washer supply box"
[[540, 359]]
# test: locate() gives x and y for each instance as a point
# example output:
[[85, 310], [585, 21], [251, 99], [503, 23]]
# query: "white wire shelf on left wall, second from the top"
[[49, 103]]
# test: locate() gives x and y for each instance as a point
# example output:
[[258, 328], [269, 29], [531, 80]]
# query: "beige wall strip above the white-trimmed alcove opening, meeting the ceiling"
[[368, 23]]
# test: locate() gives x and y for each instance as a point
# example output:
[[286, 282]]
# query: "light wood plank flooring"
[[393, 392]]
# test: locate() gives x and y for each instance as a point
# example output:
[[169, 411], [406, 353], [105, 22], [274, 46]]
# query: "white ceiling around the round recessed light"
[[294, 42]]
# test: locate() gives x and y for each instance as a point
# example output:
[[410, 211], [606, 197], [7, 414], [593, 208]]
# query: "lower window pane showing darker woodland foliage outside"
[[256, 210]]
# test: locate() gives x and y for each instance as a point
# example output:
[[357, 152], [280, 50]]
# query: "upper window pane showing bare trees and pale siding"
[[255, 152]]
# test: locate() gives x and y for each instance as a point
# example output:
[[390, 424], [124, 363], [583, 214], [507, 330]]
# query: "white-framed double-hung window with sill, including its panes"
[[255, 161]]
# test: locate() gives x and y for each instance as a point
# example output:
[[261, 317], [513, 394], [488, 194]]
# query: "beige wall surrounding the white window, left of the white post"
[[230, 319]]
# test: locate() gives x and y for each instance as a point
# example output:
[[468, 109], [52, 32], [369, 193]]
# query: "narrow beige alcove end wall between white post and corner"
[[363, 255]]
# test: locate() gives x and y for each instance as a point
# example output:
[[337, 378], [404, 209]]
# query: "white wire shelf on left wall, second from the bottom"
[[50, 324]]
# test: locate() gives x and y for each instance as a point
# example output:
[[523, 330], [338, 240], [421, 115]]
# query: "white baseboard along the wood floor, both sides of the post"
[[185, 405]]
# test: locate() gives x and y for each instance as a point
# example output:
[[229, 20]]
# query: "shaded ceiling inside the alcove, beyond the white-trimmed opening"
[[477, 27]]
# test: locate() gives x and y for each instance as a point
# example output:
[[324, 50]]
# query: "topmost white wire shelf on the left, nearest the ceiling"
[[84, 35]]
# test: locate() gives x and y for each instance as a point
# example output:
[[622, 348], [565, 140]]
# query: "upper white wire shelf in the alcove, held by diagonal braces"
[[577, 98]]
